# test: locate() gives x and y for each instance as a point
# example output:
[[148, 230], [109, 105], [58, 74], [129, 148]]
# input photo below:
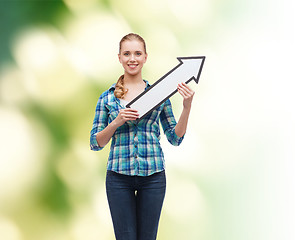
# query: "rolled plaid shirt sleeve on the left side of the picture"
[[99, 123]]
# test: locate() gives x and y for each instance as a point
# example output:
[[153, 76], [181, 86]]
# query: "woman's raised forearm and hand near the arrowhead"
[[187, 93]]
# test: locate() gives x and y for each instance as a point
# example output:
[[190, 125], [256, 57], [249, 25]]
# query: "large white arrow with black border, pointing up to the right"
[[188, 69]]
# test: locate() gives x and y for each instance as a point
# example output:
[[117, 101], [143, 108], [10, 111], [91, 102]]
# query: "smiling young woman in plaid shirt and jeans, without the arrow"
[[135, 179]]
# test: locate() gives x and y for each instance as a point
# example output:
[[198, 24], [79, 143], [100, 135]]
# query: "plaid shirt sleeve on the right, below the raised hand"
[[168, 123]]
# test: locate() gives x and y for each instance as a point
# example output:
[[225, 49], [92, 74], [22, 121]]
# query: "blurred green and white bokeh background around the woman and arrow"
[[233, 176]]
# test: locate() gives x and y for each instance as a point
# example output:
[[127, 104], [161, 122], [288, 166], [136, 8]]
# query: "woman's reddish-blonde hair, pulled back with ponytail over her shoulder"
[[120, 91]]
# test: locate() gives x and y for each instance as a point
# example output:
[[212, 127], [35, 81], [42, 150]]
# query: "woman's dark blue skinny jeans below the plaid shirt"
[[135, 203]]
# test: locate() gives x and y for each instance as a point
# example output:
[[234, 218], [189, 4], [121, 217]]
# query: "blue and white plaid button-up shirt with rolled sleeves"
[[135, 147]]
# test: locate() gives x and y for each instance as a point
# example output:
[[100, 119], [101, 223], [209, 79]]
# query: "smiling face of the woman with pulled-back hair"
[[132, 57]]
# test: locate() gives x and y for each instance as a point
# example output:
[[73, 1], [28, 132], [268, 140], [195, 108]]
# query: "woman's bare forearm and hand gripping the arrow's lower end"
[[104, 136]]
